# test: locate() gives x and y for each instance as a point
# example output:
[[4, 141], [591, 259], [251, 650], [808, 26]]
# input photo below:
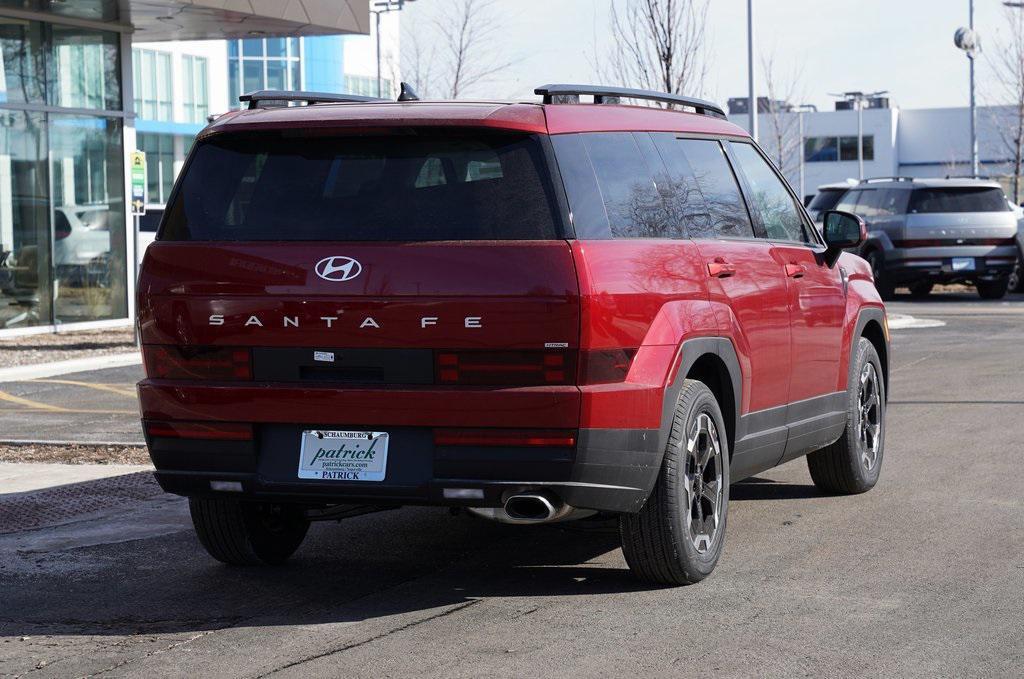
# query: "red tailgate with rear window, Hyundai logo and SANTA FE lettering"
[[396, 258]]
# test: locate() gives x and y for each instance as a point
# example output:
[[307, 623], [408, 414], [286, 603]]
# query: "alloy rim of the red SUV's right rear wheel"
[[704, 483]]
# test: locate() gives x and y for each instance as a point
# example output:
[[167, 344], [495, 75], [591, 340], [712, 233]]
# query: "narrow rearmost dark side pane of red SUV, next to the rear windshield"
[[586, 205]]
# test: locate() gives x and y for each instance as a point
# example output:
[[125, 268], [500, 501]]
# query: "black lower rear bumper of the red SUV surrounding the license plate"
[[608, 471]]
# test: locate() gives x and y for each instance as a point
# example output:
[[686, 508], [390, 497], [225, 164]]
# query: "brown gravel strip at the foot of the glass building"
[[31, 350]]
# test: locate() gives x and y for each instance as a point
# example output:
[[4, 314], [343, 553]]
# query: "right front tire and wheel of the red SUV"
[[844, 469]]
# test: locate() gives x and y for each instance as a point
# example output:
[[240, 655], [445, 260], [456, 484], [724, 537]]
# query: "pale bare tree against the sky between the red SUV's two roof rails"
[[464, 32]]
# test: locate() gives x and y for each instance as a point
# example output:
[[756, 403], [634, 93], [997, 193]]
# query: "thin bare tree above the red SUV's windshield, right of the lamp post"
[[784, 144]]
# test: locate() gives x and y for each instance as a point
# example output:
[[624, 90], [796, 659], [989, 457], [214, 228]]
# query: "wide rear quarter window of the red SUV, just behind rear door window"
[[631, 200]]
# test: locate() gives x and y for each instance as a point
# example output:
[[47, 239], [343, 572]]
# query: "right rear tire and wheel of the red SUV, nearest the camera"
[[658, 541]]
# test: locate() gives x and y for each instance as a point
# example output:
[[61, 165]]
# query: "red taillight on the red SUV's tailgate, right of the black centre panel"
[[505, 368]]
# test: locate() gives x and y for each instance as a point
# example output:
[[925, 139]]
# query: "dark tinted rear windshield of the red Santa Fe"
[[386, 188]]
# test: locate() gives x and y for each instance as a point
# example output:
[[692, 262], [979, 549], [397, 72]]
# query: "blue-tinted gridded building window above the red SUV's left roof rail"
[[257, 64]]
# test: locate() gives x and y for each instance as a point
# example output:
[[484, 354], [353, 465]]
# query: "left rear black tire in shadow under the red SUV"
[[247, 534]]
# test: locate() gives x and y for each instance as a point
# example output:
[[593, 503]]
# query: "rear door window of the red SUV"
[[728, 216]]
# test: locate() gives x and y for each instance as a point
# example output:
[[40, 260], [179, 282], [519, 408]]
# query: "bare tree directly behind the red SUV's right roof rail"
[[658, 45]]
